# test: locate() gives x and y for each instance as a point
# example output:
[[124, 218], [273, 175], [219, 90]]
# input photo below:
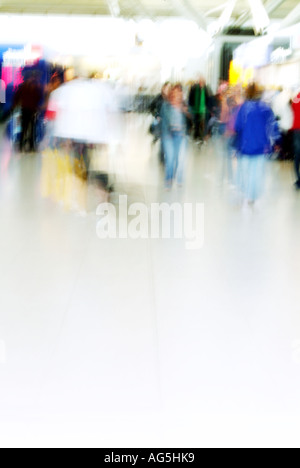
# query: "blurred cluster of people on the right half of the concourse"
[[241, 123]]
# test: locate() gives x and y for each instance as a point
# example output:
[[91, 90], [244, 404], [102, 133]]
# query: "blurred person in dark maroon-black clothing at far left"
[[29, 98]]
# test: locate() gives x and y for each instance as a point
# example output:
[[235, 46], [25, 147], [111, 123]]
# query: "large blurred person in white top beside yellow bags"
[[82, 133]]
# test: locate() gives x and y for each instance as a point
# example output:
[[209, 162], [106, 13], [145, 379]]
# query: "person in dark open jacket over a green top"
[[199, 101]]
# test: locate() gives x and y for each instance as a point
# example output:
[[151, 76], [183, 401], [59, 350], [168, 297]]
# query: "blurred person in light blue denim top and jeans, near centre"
[[174, 114]]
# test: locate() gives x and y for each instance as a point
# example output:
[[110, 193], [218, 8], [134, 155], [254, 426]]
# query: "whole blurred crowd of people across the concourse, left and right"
[[245, 126]]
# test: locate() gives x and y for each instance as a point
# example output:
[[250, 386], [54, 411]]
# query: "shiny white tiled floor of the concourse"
[[143, 343]]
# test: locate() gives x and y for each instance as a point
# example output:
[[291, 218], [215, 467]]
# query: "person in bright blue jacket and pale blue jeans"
[[255, 131]]
